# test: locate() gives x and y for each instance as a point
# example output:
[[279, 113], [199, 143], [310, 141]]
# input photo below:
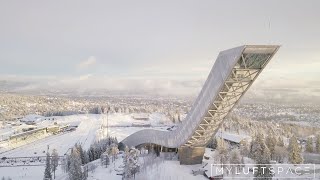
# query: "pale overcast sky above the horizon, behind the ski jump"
[[167, 45]]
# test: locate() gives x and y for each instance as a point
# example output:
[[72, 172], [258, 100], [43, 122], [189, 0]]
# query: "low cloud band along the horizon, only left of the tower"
[[94, 84]]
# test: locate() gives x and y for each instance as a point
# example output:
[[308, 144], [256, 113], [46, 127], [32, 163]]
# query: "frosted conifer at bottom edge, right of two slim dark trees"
[[75, 171]]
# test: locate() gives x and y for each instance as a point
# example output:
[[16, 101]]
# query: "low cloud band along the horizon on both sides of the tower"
[[95, 84]]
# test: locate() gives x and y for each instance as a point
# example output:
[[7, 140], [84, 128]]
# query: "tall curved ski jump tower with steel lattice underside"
[[233, 73]]
